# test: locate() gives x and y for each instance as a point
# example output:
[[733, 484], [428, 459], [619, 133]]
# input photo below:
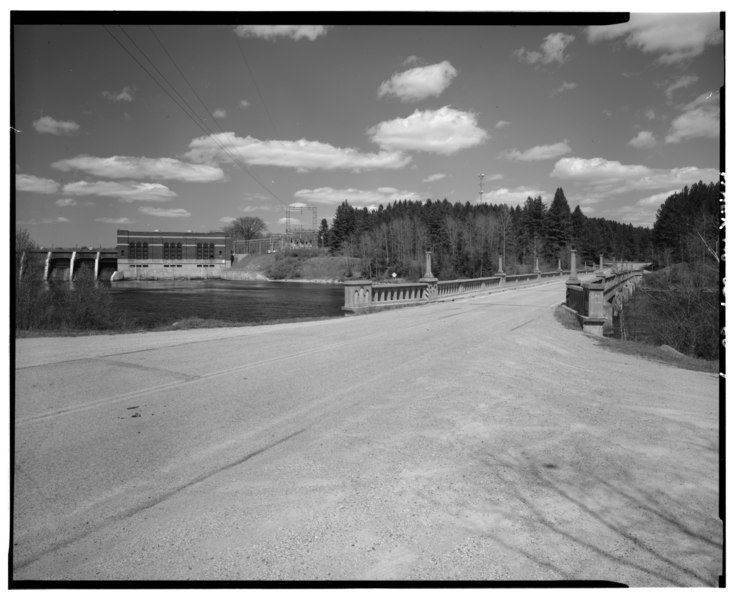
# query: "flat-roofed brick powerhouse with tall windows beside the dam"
[[171, 255]]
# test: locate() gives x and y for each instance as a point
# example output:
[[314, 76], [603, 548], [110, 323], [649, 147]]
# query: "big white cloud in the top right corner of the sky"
[[675, 37]]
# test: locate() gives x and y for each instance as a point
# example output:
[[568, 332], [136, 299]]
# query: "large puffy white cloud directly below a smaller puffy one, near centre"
[[443, 131]]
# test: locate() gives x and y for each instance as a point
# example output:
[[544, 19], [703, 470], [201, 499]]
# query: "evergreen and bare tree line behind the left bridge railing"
[[467, 239]]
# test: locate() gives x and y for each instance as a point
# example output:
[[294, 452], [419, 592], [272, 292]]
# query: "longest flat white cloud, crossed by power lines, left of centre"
[[301, 154]]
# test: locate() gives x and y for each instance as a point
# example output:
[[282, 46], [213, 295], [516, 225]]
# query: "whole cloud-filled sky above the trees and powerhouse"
[[188, 126]]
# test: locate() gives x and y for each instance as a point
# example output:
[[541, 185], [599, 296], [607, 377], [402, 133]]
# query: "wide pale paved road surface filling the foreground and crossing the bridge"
[[475, 439]]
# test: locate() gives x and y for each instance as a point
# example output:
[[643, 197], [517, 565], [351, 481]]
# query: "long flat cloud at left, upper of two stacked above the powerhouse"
[[139, 167]]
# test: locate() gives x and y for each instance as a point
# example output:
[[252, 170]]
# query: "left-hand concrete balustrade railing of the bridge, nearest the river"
[[365, 296]]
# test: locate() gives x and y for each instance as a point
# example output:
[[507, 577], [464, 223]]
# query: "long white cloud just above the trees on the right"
[[610, 176]]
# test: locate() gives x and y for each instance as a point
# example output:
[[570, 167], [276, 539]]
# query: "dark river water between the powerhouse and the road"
[[156, 303]]
